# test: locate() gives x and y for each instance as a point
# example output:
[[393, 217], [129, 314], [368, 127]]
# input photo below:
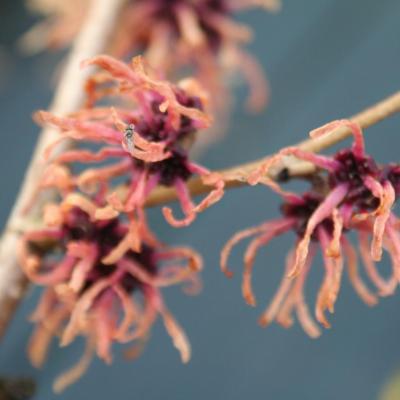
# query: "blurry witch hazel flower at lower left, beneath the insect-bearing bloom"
[[100, 284]]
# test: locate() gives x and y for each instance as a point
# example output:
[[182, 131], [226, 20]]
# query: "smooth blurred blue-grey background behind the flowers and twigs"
[[325, 59]]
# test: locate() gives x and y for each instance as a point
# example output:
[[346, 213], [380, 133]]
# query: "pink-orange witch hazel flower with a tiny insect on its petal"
[[150, 142]]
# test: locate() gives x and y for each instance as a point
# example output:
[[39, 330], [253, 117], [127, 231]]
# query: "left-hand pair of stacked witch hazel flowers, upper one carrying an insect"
[[101, 264]]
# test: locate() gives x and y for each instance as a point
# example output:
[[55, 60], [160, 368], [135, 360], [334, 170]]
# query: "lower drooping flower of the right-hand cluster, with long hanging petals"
[[290, 297]]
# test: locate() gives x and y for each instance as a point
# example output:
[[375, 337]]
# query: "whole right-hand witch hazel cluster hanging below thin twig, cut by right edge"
[[354, 195]]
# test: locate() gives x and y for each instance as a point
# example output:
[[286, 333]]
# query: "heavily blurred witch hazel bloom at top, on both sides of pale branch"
[[173, 35]]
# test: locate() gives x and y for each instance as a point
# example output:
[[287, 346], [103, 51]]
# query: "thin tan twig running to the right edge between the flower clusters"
[[291, 166]]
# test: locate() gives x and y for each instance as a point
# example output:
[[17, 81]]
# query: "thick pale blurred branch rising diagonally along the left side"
[[92, 40]]
